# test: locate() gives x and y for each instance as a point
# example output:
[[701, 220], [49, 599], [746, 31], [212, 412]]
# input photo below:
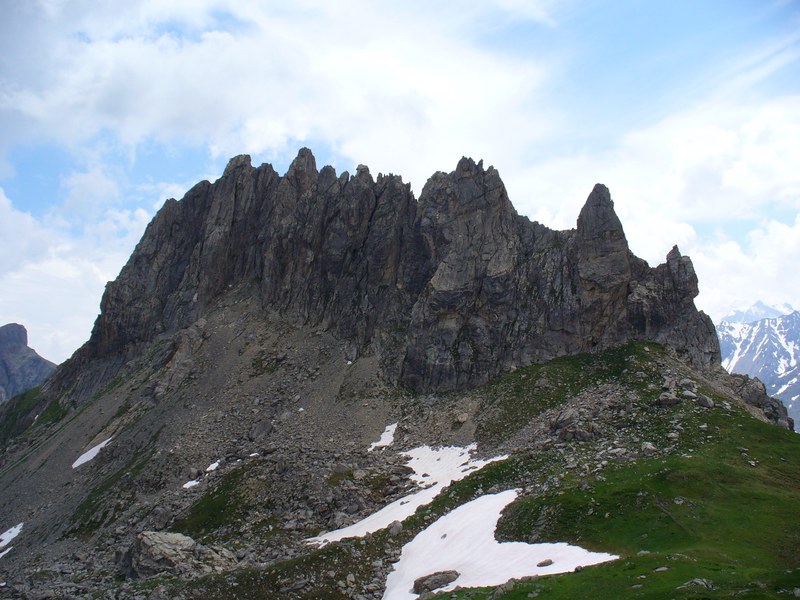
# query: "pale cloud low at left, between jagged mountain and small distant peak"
[[55, 290]]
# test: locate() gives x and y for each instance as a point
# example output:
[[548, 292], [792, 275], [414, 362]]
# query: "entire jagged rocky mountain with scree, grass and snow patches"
[[317, 386]]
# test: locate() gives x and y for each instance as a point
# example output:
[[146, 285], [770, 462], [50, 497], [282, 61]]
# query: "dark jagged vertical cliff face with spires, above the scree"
[[449, 290]]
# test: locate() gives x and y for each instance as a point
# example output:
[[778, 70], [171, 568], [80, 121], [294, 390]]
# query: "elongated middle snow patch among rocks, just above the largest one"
[[435, 469]]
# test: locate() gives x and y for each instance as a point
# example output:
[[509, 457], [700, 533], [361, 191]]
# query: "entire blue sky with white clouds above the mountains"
[[688, 111]]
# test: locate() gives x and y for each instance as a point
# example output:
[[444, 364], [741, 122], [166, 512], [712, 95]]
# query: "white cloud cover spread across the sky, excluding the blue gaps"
[[406, 88]]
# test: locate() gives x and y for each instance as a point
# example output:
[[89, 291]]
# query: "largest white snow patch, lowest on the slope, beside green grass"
[[463, 540]]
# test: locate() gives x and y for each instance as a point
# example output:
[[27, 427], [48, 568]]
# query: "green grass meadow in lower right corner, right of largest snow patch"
[[711, 515]]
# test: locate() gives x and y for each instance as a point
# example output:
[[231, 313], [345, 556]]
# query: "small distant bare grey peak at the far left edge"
[[20, 367]]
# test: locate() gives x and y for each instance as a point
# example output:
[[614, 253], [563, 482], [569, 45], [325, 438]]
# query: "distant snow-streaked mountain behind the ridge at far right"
[[768, 349]]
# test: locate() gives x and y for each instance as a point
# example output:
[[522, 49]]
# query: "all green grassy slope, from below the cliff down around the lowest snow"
[[721, 507]]
